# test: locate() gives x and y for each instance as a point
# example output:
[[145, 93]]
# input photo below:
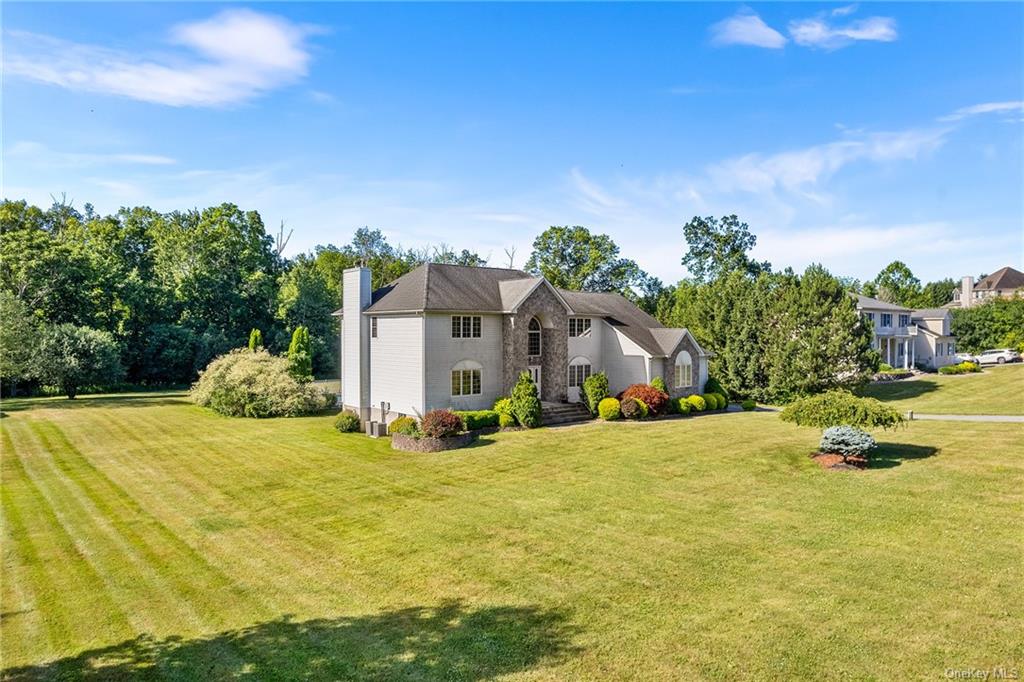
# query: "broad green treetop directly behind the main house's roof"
[[574, 259]]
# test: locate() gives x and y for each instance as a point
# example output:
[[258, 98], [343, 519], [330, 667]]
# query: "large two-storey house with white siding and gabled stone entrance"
[[454, 336]]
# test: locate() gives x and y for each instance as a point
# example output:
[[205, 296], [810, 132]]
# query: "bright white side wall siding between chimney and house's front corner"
[[397, 364]]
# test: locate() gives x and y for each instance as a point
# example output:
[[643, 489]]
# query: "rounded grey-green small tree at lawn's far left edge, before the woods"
[[71, 357]]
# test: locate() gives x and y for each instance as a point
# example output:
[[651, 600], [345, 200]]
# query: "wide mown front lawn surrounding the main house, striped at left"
[[144, 537]]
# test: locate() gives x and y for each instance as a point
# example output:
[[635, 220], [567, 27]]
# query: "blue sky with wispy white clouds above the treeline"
[[844, 135]]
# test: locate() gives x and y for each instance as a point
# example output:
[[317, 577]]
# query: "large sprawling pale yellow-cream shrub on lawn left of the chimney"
[[246, 383]]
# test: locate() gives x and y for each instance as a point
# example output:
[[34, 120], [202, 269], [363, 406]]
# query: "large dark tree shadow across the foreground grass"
[[449, 643]]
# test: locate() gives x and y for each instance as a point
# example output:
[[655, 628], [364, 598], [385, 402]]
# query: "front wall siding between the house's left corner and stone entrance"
[[443, 353]]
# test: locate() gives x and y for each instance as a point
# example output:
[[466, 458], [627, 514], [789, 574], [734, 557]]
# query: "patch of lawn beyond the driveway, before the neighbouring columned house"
[[997, 391]]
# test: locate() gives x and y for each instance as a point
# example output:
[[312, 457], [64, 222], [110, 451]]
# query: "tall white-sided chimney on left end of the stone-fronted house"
[[356, 342]]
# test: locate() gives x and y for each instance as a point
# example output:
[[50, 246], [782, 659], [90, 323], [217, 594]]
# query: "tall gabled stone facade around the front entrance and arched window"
[[544, 306]]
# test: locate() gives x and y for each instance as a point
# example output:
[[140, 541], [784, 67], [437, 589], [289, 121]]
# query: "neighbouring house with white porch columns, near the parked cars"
[[908, 338]]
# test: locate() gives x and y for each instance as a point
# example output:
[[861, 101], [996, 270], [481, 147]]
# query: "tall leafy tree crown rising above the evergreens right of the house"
[[719, 246]]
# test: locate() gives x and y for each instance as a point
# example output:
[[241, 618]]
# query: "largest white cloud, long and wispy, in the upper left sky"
[[231, 58]]
